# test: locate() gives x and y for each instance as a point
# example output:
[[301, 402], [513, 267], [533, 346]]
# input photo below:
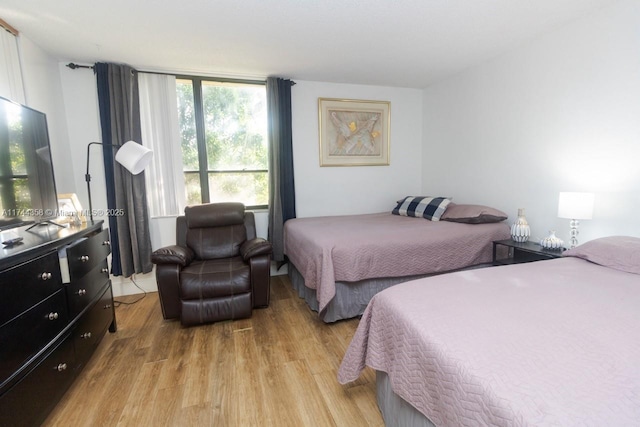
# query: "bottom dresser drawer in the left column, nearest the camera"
[[29, 401]]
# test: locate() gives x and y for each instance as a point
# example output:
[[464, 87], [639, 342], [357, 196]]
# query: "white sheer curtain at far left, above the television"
[[11, 86]]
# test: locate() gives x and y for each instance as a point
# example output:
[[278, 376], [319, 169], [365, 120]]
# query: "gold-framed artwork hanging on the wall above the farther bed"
[[353, 132]]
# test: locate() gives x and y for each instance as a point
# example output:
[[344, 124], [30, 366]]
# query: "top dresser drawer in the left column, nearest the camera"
[[27, 284]]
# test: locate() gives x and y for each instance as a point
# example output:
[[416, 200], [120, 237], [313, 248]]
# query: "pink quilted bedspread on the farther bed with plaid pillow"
[[357, 247]]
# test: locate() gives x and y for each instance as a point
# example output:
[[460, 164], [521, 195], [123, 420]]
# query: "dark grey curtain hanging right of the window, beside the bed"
[[282, 203]]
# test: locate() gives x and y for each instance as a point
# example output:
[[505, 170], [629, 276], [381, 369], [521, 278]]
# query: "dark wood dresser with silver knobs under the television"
[[56, 304]]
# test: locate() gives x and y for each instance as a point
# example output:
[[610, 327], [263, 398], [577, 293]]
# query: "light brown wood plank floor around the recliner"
[[277, 368]]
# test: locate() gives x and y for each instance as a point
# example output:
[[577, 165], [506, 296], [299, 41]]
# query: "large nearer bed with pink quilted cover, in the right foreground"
[[546, 343]]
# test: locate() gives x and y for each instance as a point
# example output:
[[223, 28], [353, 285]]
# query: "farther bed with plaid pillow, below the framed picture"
[[337, 263]]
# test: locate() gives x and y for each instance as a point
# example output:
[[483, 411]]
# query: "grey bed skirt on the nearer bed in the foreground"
[[395, 410]]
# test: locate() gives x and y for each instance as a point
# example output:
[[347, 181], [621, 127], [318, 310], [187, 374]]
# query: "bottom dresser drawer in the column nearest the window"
[[92, 327]]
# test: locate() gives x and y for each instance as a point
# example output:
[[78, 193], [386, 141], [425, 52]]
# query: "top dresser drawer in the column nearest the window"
[[85, 255]]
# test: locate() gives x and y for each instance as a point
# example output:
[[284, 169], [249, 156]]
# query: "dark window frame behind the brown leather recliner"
[[203, 171]]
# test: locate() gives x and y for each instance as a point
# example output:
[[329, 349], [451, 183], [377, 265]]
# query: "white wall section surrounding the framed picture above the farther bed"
[[359, 189]]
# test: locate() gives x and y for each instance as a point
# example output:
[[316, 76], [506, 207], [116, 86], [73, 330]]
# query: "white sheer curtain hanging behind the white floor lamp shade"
[[160, 132]]
